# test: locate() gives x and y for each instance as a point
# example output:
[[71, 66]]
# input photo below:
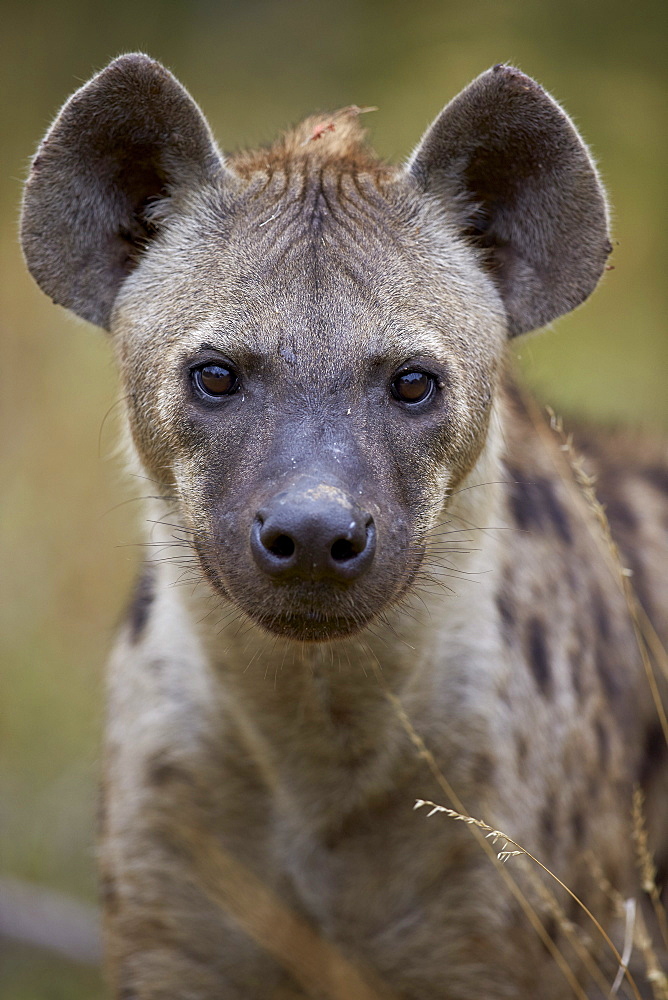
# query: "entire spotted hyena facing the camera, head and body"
[[394, 588]]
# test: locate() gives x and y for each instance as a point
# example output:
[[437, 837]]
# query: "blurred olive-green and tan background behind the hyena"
[[255, 66]]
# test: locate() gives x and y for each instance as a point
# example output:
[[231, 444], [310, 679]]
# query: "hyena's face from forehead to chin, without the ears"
[[307, 404]]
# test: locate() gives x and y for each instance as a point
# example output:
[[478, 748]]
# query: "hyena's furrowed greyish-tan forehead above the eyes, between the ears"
[[311, 255]]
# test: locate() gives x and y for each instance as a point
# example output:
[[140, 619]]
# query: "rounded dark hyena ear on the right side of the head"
[[507, 159]]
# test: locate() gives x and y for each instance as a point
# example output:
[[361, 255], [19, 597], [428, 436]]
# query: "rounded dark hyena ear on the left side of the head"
[[127, 139]]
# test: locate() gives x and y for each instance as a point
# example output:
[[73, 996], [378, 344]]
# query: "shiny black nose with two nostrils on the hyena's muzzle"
[[314, 532]]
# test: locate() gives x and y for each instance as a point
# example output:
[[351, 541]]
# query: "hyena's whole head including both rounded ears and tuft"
[[310, 340]]
